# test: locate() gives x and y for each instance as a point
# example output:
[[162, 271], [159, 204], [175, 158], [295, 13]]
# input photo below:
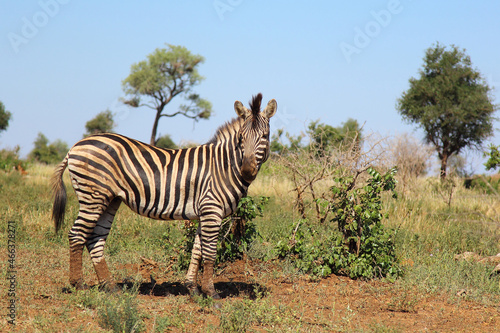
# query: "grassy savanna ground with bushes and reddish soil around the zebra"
[[297, 262]]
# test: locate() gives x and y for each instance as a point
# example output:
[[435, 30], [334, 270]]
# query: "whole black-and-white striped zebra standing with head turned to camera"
[[204, 183]]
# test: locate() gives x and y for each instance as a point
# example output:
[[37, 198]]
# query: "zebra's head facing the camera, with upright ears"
[[253, 137]]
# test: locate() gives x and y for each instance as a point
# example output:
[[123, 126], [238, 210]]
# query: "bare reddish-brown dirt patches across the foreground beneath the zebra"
[[333, 304]]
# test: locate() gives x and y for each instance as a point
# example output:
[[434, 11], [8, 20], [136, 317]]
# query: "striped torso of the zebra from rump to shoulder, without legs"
[[158, 183]]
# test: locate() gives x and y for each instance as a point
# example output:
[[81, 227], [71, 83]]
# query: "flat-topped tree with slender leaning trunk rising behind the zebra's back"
[[167, 73]]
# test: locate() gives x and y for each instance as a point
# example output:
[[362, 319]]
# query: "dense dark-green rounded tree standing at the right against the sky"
[[450, 101]]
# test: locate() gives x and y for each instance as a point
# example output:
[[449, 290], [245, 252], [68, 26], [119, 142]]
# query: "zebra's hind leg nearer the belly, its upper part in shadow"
[[97, 240]]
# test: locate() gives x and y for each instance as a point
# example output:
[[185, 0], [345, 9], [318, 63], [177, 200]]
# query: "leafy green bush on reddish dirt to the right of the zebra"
[[362, 247]]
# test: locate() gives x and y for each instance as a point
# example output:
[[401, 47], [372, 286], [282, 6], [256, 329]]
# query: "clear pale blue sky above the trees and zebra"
[[63, 61]]
